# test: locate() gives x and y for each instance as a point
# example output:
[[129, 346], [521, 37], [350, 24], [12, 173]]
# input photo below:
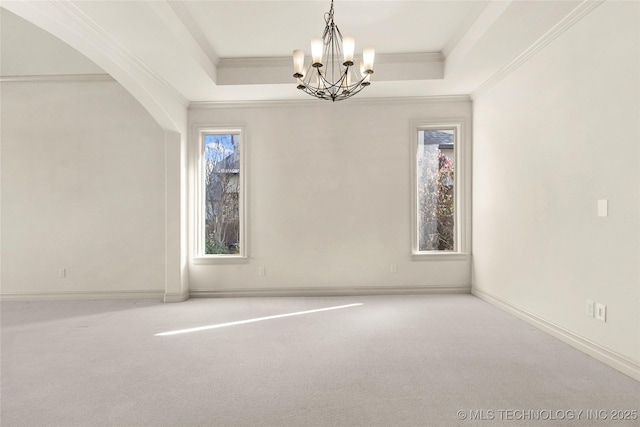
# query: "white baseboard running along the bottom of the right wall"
[[604, 355]]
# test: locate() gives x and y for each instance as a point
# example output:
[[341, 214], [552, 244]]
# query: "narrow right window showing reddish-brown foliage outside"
[[437, 210]]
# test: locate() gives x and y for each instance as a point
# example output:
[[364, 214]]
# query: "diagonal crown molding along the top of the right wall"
[[582, 10]]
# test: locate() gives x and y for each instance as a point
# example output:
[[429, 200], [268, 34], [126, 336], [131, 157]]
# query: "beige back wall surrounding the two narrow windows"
[[329, 197]]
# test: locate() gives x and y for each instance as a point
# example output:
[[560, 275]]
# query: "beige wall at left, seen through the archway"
[[82, 189]]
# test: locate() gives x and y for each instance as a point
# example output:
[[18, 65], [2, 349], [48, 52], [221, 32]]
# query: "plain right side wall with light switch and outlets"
[[555, 136]]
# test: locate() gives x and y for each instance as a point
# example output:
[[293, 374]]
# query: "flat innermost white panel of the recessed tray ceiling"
[[275, 28]]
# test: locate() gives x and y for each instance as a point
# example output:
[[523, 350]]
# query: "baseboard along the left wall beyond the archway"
[[83, 295]]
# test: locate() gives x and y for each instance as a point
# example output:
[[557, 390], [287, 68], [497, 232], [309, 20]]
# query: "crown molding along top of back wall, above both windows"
[[312, 102]]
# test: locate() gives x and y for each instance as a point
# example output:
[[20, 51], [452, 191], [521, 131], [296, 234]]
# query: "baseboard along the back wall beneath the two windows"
[[330, 291]]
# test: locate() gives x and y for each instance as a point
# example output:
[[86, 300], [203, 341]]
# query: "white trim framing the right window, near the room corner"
[[462, 153]]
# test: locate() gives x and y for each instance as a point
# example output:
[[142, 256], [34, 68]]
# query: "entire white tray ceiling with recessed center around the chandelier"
[[216, 51]]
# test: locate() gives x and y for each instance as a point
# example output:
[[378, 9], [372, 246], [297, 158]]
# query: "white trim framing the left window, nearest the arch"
[[198, 216]]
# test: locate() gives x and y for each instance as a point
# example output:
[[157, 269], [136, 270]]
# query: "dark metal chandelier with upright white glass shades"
[[332, 74]]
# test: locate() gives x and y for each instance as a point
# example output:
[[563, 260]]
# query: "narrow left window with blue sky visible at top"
[[221, 204]]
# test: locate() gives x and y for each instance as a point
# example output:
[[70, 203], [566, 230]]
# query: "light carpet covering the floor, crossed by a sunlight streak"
[[429, 360]]
